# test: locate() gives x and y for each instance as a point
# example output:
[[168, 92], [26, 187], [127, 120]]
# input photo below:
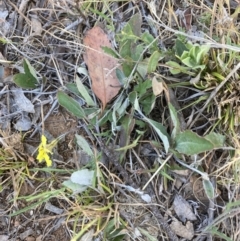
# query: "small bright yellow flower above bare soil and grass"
[[44, 150]]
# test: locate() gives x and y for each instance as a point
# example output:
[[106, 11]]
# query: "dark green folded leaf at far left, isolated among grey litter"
[[27, 80]]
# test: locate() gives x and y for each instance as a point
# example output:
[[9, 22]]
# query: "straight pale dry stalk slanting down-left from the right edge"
[[214, 92]]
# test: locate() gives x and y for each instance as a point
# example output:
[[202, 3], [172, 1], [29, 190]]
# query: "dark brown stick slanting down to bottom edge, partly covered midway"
[[113, 158]]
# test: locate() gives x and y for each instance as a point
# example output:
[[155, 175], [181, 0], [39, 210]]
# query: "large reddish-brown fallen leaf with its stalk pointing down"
[[101, 67]]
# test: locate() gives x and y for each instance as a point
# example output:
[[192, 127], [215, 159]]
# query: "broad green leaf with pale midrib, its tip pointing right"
[[190, 143]]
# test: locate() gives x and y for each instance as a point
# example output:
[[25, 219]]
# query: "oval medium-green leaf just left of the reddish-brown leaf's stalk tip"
[[70, 104]]
